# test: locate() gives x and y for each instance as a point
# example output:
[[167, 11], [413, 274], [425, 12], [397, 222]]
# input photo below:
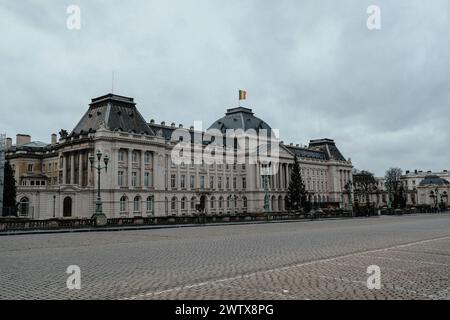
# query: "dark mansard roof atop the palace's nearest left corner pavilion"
[[115, 113]]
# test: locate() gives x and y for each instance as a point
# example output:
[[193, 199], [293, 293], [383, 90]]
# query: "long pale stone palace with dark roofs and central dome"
[[56, 179]]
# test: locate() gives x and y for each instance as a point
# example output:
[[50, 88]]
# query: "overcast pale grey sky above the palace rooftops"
[[311, 68]]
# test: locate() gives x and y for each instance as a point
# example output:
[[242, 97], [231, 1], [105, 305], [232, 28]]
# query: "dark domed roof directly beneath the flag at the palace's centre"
[[240, 118]]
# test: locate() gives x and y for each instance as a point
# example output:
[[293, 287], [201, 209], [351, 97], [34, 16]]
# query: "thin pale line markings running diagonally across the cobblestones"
[[278, 269]]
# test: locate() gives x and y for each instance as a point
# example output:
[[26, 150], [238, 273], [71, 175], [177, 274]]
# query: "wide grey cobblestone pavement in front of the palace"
[[298, 260]]
